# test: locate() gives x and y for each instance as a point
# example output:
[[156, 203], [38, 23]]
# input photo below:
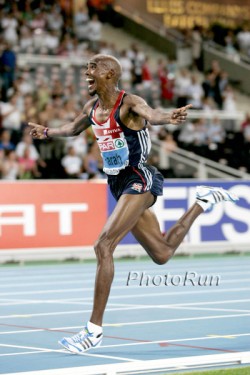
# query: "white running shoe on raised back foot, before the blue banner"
[[212, 195]]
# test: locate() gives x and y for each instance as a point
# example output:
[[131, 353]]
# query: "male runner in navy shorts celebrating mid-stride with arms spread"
[[119, 121]]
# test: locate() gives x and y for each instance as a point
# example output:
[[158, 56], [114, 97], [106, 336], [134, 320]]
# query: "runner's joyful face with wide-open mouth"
[[96, 73]]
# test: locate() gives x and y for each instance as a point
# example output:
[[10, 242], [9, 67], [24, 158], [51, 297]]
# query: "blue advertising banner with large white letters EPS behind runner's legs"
[[225, 222]]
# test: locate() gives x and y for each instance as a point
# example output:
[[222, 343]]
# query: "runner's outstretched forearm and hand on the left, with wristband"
[[71, 129]]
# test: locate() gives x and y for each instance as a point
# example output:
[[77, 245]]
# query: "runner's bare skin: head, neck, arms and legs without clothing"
[[132, 212]]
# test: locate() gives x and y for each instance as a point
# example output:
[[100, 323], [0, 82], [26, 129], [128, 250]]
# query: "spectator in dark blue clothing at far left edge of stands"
[[7, 69]]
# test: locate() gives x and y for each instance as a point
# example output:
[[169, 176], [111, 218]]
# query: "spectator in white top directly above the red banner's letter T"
[[72, 163]]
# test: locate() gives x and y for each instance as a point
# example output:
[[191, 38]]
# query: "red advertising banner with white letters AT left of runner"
[[39, 214]]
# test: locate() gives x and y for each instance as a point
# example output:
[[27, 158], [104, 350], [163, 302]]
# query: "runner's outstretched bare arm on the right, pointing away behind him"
[[157, 116]]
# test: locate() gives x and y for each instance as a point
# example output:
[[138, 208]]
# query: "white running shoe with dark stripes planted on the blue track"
[[82, 341]]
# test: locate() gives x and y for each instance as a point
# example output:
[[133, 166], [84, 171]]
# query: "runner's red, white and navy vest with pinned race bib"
[[119, 145]]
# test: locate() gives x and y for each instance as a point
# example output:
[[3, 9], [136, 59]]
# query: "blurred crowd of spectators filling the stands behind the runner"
[[54, 94]]
